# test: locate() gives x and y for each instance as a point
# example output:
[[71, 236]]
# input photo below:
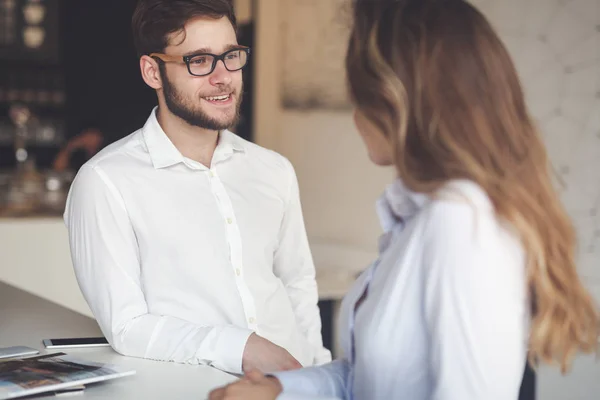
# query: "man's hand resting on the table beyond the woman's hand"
[[265, 356]]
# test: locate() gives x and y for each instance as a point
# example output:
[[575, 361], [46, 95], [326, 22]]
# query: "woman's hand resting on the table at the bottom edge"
[[253, 386]]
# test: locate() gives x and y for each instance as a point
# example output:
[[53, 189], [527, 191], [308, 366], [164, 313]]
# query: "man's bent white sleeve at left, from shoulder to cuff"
[[105, 257]]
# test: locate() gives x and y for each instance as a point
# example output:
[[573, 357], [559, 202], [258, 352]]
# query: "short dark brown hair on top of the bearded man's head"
[[154, 20]]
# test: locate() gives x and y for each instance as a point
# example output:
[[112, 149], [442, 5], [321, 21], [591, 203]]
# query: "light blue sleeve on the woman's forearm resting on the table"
[[327, 381]]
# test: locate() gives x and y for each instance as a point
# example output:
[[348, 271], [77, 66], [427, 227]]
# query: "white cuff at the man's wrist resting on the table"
[[229, 349]]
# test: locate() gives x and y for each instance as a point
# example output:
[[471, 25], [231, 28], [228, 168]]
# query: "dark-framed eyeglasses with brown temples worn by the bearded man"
[[202, 64]]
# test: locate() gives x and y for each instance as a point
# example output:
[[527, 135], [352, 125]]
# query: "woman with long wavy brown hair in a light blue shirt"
[[476, 269]]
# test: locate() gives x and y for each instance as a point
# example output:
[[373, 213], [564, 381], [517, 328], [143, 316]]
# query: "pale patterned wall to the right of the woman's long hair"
[[556, 47]]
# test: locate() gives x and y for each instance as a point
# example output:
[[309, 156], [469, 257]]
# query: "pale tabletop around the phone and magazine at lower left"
[[27, 320]]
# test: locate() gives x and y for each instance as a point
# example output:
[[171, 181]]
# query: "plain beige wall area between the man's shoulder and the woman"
[[339, 185]]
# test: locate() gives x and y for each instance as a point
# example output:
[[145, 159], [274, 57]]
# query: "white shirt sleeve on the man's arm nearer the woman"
[[293, 264]]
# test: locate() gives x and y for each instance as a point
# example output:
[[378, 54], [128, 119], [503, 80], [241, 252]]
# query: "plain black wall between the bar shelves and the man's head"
[[103, 83]]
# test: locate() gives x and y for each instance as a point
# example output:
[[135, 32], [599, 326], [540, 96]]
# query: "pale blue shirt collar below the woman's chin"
[[398, 204]]
